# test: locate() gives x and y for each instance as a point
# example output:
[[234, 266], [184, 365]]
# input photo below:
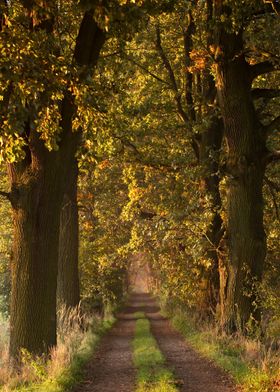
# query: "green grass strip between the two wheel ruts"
[[152, 374]]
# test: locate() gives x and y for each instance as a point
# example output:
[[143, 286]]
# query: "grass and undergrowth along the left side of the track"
[[65, 367]]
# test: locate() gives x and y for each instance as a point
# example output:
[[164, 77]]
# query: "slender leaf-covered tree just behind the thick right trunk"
[[194, 96]]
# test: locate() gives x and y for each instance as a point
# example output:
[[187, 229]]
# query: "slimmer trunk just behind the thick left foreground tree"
[[68, 289]]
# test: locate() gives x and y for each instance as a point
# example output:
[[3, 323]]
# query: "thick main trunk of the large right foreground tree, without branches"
[[245, 171]]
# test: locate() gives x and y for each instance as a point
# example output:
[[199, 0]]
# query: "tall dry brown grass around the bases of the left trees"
[[74, 328]]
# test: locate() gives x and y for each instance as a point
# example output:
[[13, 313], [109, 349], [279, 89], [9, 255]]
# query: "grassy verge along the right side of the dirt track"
[[254, 367]]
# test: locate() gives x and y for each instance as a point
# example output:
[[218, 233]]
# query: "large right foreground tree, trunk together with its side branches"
[[247, 157]]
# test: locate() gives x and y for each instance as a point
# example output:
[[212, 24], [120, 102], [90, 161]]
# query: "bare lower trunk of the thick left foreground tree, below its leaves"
[[34, 265]]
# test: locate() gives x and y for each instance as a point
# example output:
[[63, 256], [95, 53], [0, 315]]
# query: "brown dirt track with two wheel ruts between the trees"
[[112, 369]]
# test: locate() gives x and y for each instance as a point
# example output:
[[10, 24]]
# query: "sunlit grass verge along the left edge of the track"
[[64, 370]]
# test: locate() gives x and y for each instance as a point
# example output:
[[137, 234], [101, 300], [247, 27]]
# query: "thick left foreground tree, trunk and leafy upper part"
[[39, 179]]
